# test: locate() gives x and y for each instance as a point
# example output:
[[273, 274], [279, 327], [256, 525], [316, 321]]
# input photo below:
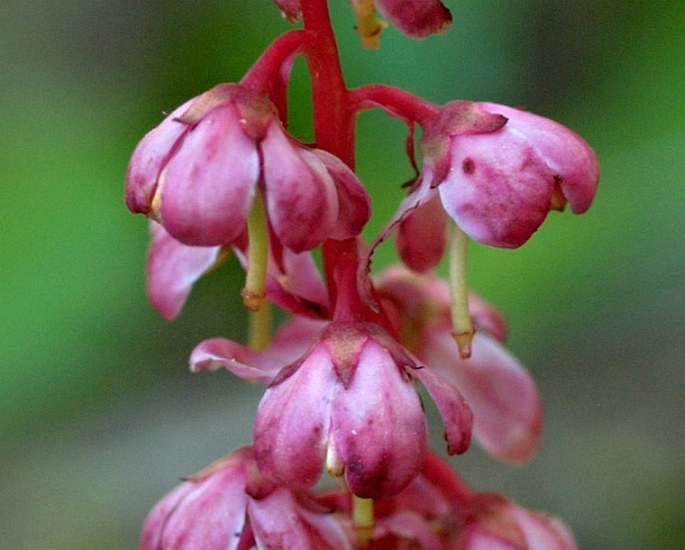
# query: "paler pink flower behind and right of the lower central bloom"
[[507, 415]]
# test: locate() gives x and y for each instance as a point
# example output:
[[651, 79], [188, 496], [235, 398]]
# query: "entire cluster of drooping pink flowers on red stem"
[[221, 174]]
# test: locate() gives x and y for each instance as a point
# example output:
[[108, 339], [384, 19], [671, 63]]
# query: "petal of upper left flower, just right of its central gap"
[[301, 200]]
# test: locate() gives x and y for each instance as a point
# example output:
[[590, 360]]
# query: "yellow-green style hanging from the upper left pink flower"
[[258, 256]]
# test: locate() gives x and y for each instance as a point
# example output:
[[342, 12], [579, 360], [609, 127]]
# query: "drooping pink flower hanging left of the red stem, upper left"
[[198, 172]]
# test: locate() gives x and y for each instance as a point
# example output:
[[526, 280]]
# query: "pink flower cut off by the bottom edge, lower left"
[[230, 505]]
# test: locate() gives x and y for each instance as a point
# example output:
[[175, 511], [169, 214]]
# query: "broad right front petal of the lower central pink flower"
[[378, 426]]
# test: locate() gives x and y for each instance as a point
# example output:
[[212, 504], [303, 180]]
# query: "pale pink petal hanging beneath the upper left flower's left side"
[[172, 269]]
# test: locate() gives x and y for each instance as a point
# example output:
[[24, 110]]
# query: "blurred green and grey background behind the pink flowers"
[[99, 416]]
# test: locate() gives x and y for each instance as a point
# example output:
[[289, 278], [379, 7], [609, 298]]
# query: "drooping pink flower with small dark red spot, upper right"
[[500, 170]]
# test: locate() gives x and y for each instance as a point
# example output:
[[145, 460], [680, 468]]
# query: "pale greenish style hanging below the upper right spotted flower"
[[462, 326]]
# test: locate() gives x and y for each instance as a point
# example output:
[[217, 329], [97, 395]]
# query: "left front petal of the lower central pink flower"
[[293, 420]]
